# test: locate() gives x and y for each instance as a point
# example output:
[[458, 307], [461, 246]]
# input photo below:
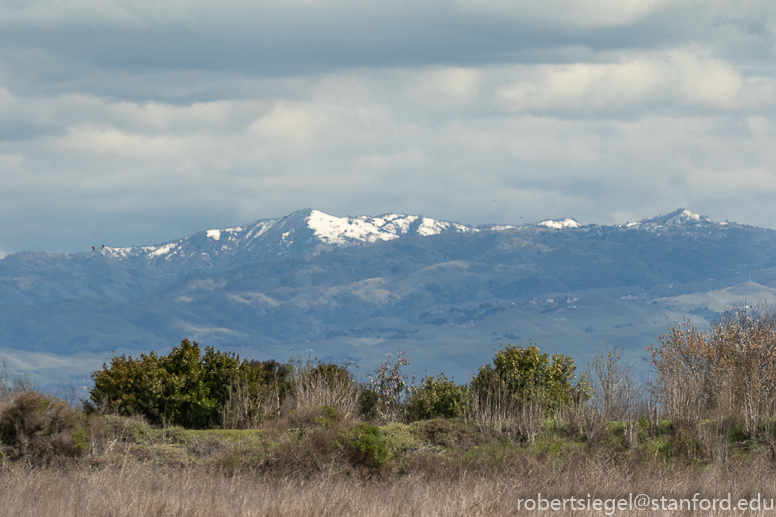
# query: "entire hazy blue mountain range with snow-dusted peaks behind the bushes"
[[357, 288]]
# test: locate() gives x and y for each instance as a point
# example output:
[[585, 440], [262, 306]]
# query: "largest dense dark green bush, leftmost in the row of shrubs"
[[185, 388]]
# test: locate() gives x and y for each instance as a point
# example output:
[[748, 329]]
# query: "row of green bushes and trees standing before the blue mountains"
[[197, 389]]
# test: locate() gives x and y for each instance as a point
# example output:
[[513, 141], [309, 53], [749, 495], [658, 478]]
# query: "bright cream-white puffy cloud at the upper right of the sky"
[[678, 79]]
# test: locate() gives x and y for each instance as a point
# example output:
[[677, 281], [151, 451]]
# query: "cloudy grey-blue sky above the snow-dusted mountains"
[[135, 122]]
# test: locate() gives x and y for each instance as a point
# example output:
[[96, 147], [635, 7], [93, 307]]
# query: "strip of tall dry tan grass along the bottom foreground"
[[146, 491]]
